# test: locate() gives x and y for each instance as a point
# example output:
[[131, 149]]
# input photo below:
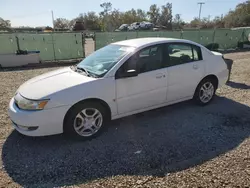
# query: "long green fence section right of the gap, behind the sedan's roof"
[[222, 39]]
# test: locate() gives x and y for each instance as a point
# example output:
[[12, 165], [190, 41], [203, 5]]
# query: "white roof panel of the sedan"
[[141, 42]]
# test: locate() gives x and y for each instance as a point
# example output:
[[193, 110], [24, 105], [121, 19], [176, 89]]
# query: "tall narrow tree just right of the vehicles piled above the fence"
[[166, 16]]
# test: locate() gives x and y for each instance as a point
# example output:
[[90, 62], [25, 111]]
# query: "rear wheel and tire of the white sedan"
[[200, 93]]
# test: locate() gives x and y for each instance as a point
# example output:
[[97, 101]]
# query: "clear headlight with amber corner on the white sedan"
[[27, 104]]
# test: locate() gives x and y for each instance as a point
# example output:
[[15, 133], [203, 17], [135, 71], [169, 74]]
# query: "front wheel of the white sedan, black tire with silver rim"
[[78, 122]]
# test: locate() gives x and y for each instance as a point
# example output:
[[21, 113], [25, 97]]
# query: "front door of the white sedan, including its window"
[[149, 87]]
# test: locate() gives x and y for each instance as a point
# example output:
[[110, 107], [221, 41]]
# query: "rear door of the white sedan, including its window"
[[185, 70]]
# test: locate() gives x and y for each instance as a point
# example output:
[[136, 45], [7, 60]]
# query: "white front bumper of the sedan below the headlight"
[[37, 123]]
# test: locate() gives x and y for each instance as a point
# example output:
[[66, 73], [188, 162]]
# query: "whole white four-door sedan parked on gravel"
[[120, 79]]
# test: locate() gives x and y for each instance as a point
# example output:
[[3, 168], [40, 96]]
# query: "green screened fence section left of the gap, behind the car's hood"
[[52, 46]]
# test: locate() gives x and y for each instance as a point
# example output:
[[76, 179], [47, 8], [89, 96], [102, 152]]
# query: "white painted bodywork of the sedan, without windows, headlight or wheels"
[[127, 96]]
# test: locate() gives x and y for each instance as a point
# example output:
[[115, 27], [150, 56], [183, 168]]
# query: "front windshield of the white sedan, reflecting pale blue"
[[102, 60]]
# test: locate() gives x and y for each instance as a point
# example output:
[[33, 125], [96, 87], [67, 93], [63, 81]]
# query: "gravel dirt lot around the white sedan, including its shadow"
[[183, 145]]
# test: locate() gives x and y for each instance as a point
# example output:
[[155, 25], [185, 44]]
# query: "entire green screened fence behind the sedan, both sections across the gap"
[[63, 46]]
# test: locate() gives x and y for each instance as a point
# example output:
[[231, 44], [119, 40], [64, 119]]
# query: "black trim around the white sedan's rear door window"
[[200, 57]]
